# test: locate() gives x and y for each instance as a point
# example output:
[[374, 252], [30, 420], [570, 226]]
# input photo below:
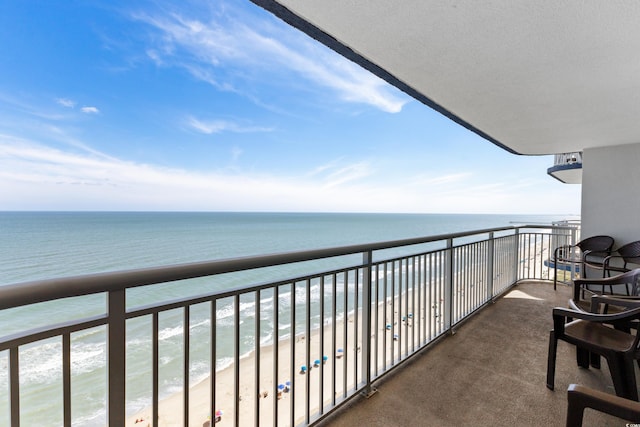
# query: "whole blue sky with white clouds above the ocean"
[[220, 106]]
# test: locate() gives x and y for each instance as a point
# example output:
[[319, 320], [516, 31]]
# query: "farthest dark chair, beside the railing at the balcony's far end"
[[591, 251]]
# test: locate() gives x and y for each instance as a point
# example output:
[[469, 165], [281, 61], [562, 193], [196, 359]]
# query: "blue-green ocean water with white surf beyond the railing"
[[41, 245]]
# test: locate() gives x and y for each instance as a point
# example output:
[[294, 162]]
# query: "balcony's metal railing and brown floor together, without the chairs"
[[381, 309]]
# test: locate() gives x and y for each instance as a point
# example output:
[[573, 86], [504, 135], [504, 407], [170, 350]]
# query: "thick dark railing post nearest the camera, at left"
[[116, 354]]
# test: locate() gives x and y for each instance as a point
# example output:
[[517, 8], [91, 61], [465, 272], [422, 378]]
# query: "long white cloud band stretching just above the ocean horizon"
[[33, 176]]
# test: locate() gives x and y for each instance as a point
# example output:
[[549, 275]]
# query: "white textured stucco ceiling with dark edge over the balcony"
[[536, 77]]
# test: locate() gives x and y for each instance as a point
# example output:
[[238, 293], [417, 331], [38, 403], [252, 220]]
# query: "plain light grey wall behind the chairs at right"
[[611, 193]]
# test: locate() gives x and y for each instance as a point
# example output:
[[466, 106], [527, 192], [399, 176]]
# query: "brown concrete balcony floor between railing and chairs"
[[491, 372]]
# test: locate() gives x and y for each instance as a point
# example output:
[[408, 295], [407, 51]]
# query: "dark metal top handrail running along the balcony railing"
[[19, 294]]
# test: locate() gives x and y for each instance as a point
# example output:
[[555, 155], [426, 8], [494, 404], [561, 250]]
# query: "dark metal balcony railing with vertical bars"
[[301, 332]]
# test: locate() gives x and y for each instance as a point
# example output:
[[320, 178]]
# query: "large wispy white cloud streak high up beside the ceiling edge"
[[226, 47]]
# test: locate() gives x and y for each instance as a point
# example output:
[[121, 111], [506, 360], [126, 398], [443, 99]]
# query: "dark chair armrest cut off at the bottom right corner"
[[580, 397]]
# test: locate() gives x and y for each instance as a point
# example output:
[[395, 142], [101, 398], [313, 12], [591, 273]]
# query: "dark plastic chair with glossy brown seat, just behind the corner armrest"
[[593, 334]]
